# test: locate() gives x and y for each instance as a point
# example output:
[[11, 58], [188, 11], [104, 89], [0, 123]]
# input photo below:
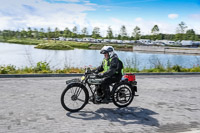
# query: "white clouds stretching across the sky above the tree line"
[[40, 14]]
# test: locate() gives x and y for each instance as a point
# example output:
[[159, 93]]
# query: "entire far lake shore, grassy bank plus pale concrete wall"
[[118, 47]]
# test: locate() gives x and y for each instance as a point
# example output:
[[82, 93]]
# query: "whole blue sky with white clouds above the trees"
[[167, 14]]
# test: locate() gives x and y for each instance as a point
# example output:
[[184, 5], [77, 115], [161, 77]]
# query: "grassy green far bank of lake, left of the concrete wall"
[[68, 45]]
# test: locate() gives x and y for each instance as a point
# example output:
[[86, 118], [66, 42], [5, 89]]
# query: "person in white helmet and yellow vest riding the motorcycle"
[[112, 69]]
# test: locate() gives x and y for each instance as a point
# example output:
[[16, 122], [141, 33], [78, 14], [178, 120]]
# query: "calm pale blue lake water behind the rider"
[[27, 55]]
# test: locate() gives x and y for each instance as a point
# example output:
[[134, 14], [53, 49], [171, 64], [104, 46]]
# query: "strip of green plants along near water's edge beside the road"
[[43, 67]]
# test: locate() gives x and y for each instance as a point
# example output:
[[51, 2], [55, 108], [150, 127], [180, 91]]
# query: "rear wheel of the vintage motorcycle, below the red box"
[[122, 95]]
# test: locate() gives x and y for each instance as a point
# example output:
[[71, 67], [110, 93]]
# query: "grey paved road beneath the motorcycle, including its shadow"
[[167, 104]]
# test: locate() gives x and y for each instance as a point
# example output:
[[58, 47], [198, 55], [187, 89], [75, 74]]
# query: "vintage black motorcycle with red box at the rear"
[[76, 95]]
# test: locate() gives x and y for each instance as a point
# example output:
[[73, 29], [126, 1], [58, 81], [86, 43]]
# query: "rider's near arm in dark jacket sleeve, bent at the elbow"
[[113, 68]]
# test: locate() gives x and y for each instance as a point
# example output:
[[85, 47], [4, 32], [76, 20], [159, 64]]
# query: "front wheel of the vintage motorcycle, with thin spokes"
[[73, 95]]
